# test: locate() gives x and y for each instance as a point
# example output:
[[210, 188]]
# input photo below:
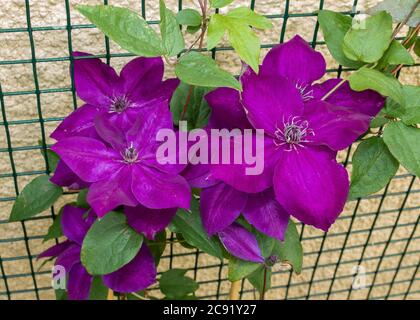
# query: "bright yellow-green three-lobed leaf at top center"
[[242, 38]]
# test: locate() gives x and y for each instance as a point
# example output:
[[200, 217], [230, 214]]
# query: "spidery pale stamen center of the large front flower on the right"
[[294, 133]]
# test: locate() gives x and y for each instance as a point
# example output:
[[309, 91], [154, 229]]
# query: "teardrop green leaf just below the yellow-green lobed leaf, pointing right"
[[199, 70]]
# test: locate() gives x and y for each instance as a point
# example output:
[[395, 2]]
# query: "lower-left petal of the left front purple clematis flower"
[[107, 194]]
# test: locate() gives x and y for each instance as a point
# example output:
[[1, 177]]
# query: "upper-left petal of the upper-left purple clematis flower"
[[95, 81]]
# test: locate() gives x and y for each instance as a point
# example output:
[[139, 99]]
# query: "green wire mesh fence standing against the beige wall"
[[371, 252]]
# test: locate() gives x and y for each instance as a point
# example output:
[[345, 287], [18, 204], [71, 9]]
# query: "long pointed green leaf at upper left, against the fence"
[[126, 28]]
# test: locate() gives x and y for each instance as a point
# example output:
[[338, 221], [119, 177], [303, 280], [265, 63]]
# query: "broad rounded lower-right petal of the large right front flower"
[[311, 186]]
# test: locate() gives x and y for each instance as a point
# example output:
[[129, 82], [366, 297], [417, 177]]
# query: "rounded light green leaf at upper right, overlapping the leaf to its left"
[[368, 40]]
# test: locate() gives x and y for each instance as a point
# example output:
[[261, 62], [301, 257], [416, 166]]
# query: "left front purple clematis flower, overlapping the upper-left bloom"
[[123, 170]]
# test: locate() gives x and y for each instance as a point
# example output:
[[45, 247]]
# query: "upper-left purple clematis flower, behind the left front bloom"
[[118, 98]]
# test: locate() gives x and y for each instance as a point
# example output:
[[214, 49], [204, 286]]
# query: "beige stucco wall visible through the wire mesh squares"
[[54, 44]]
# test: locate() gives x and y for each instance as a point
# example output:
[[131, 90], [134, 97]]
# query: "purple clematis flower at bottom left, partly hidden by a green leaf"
[[137, 275]]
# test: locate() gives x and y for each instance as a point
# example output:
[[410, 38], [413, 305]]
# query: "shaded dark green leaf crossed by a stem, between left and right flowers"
[[197, 111]]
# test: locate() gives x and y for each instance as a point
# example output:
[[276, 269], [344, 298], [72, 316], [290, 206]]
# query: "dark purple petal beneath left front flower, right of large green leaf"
[[148, 221]]
